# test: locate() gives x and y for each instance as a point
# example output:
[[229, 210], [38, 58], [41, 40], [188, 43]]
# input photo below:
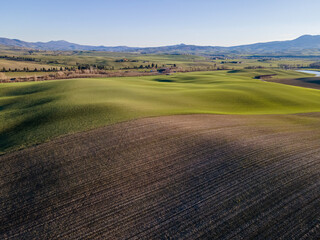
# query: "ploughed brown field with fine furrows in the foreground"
[[188, 177]]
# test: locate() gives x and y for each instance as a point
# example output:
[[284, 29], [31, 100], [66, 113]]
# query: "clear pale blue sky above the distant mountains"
[[144, 23]]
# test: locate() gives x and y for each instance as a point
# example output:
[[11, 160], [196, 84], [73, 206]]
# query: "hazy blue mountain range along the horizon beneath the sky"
[[303, 43]]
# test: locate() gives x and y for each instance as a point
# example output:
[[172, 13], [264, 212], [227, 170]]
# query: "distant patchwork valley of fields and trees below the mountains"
[[110, 61]]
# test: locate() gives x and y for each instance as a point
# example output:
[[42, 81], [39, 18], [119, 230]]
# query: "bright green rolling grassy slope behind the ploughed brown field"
[[35, 112]]
